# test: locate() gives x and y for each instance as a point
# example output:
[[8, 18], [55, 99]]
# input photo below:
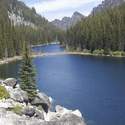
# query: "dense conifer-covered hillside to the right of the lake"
[[102, 32]]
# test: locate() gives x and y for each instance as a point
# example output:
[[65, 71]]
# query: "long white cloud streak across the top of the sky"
[[55, 5]]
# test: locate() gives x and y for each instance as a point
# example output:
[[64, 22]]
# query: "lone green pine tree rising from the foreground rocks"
[[27, 74]]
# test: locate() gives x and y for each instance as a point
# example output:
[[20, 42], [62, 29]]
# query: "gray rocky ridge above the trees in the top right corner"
[[107, 4]]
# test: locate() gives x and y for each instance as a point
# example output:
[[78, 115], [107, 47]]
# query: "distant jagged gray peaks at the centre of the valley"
[[67, 22]]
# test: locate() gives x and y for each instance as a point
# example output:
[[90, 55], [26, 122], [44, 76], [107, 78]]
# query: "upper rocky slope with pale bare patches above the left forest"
[[19, 13]]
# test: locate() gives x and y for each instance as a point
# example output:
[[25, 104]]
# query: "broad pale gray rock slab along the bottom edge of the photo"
[[13, 119]]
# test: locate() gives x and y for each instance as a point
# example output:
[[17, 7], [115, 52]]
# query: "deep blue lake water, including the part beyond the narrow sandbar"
[[94, 85]]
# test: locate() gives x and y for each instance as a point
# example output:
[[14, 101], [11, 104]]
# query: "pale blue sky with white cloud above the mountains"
[[57, 9]]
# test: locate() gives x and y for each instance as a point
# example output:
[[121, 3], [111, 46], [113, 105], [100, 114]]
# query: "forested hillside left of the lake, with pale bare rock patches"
[[19, 23]]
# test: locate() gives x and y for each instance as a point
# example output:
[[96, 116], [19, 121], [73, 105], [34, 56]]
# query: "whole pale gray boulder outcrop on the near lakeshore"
[[15, 110]]
